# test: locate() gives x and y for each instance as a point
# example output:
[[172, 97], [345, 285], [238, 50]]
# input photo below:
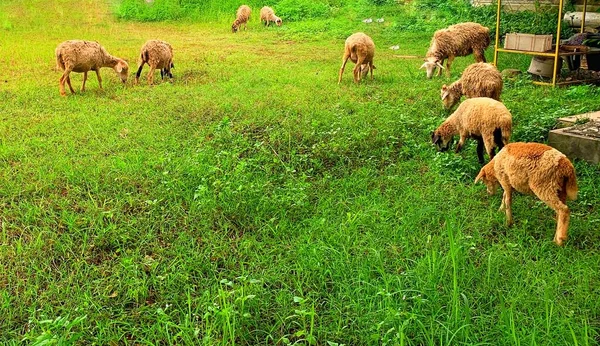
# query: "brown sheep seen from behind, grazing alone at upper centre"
[[360, 49]]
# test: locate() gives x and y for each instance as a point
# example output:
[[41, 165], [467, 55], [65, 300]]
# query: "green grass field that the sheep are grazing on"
[[255, 201]]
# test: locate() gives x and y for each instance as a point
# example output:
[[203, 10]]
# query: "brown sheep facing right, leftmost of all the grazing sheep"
[[83, 56]]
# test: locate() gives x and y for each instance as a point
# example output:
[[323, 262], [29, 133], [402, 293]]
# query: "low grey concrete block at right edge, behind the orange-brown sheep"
[[578, 142]]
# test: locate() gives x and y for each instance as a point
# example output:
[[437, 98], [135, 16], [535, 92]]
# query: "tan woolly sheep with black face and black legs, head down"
[[483, 119]]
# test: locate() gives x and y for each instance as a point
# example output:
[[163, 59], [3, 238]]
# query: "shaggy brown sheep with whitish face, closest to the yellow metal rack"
[[457, 40]]
